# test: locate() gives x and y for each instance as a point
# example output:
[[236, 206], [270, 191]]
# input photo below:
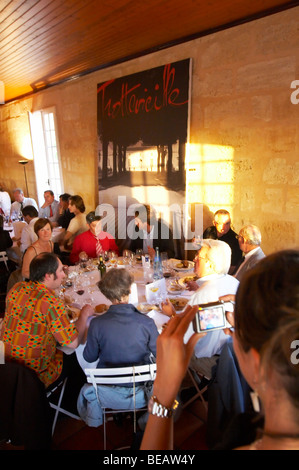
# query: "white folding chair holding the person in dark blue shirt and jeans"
[[119, 376]]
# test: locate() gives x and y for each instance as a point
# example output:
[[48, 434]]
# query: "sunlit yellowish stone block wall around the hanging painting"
[[244, 129]]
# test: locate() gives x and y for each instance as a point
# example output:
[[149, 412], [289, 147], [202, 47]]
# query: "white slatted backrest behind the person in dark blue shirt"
[[121, 375]]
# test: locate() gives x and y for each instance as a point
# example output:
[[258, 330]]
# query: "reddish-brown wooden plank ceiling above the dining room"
[[44, 42]]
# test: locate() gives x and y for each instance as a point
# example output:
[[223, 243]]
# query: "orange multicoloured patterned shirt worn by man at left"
[[35, 321]]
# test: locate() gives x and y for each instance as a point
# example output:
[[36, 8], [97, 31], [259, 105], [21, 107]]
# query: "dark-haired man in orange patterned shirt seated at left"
[[36, 320]]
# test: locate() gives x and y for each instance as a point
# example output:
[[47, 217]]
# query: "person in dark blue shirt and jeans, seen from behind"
[[120, 337]]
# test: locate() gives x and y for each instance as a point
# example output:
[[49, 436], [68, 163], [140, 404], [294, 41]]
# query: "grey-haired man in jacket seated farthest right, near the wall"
[[250, 239]]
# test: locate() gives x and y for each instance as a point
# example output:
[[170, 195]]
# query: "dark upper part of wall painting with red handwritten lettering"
[[143, 122]]
